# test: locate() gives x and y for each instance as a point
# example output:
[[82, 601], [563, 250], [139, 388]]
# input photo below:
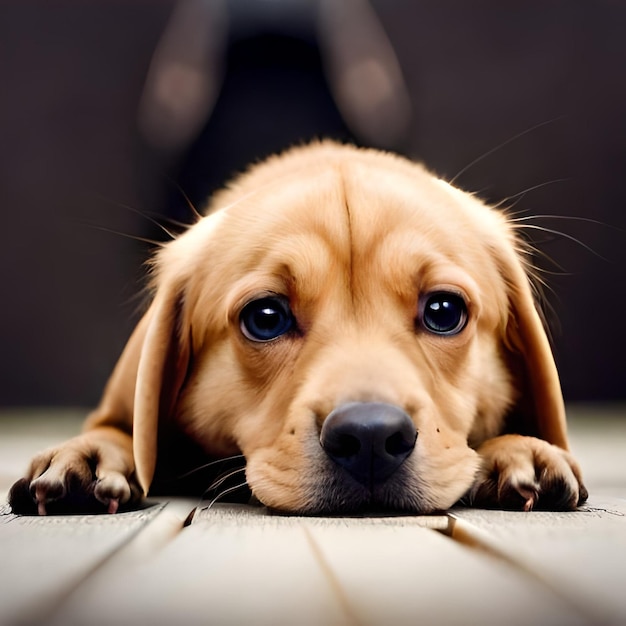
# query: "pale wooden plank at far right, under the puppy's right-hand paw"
[[580, 555]]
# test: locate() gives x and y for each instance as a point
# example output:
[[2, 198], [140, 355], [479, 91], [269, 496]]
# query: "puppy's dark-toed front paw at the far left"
[[87, 474]]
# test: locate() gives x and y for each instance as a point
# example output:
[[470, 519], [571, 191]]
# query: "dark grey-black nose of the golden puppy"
[[369, 439]]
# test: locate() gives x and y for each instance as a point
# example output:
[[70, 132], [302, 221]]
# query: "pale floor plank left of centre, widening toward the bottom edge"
[[236, 566]]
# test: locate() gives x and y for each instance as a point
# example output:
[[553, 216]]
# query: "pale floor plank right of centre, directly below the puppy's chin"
[[406, 574]]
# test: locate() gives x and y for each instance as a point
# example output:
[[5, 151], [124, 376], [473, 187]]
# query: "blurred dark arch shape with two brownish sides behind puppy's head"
[[234, 81]]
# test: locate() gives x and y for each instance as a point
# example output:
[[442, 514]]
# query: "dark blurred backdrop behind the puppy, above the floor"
[[114, 113]]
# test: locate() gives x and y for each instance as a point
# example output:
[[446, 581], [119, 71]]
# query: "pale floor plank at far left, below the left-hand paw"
[[45, 558]]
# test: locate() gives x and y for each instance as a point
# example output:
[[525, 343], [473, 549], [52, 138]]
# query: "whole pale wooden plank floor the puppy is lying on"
[[239, 565]]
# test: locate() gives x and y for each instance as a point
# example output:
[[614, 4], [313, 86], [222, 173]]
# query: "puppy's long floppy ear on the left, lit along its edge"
[[161, 372]]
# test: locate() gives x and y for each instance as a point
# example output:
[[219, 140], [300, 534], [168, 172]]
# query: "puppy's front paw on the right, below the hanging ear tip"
[[525, 473]]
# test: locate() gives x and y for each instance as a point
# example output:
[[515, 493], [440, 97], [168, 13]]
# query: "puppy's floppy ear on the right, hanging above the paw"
[[540, 409]]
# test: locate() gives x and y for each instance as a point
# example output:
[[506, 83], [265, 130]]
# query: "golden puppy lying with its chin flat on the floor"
[[363, 333]]
